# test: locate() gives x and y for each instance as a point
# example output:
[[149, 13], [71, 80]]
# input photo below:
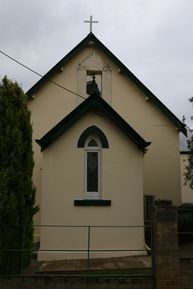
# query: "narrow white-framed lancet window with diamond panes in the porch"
[[92, 167]]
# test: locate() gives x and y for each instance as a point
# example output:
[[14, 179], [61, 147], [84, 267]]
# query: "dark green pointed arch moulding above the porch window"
[[93, 130]]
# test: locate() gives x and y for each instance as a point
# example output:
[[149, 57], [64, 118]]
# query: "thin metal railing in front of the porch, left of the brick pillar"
[[89, 249]]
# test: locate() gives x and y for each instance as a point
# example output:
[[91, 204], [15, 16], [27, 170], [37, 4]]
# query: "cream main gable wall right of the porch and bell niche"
[[162, 161]]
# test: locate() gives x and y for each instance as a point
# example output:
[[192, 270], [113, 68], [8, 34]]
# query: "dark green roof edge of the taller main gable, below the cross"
[[92, 40]]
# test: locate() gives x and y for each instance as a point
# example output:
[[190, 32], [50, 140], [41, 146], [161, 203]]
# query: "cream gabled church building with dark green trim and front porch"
[[105, 147]]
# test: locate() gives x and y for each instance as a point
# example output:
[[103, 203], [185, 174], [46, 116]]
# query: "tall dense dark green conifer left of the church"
[[17, 194]]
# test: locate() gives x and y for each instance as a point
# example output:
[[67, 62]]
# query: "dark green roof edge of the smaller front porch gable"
[[92, 103]]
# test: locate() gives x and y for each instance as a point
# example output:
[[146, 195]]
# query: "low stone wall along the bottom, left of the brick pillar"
[[50, 282]]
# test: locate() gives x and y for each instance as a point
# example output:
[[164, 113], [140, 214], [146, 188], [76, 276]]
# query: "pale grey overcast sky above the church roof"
[[153, 38]]
